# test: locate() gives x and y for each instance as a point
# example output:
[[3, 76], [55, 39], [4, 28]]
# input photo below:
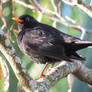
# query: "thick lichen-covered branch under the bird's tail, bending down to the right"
[[65, 68]]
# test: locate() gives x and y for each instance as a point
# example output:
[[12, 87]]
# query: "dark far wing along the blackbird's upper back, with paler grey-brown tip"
[[60, 35]]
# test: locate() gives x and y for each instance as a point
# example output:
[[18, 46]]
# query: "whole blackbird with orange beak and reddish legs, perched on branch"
[[45, 44]]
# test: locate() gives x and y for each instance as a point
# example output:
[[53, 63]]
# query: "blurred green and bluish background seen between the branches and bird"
[[10, 9]]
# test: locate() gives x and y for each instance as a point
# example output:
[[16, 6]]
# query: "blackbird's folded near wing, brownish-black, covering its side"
[[43, 43]]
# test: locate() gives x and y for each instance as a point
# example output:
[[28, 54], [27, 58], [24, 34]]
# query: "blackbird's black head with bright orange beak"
[[25, 21]]
